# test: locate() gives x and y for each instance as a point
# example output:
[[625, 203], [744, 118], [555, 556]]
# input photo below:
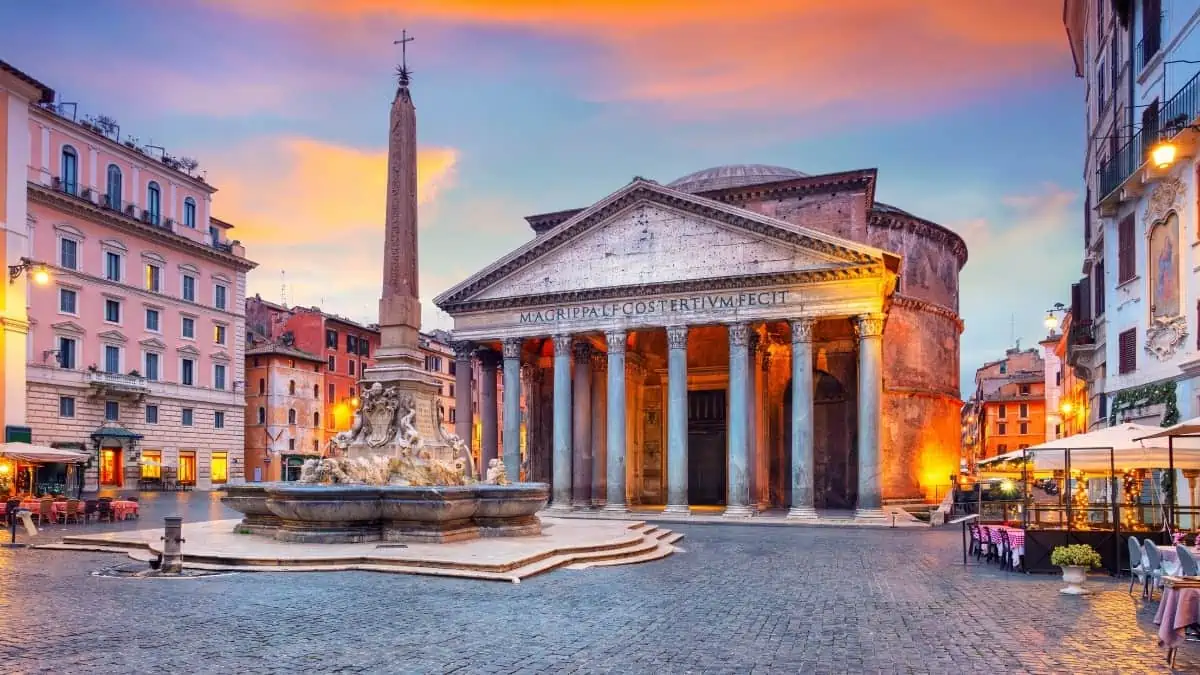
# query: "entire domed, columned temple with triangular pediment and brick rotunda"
[[743, 338]]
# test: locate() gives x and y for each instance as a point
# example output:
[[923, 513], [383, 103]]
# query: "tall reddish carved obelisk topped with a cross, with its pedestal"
[[399, 361]]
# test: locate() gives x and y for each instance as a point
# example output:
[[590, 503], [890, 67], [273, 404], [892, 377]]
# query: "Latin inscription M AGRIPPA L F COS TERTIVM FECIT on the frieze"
[[661, 307]]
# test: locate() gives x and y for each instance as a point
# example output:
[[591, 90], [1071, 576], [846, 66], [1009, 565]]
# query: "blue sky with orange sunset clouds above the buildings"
[[970, 111]]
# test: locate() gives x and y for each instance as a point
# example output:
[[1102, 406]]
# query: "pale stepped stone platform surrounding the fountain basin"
[[217, 546]]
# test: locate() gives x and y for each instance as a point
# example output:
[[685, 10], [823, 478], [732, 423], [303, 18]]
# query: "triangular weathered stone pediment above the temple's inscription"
[[649, 236]]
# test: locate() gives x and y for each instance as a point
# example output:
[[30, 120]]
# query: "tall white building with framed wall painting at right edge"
[[1135, 337]]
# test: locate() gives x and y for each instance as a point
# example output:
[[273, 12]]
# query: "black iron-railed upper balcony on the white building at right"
[[1118, 175]]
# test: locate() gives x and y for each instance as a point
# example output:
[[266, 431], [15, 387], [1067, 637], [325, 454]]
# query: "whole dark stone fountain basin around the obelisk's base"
[[341, 515]]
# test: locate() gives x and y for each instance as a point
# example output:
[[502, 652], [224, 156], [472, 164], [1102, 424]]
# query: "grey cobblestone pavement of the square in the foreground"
[[740, 600]]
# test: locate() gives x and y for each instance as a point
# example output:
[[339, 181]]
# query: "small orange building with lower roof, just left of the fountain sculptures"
[[285, 405]]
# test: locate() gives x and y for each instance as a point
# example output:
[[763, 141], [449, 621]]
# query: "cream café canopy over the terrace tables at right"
[[1121, 447]]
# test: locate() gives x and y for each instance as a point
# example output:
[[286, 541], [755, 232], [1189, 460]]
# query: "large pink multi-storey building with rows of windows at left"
[[136, 348]]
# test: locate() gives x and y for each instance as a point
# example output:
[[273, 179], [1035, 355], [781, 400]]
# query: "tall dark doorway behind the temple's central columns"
[[706, 447]]
